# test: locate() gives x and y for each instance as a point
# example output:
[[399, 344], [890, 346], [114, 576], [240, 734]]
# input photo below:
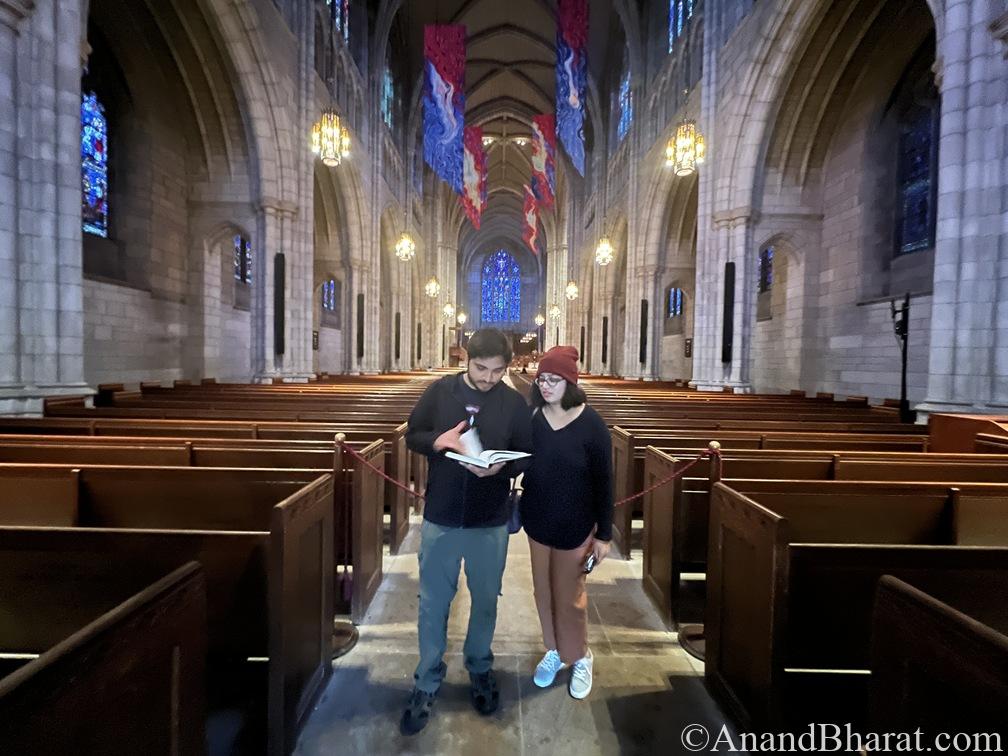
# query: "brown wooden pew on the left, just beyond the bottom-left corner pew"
[[264, 537]]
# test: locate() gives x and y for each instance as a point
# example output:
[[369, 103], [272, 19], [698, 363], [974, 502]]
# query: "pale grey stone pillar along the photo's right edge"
[[968, 367]]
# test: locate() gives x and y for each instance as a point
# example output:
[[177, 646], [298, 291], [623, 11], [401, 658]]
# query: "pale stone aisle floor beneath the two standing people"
[[647, 689]]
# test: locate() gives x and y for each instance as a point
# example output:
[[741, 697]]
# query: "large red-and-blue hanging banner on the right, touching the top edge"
[[572, 78]]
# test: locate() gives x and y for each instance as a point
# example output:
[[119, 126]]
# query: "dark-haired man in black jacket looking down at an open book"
[[465, 517]]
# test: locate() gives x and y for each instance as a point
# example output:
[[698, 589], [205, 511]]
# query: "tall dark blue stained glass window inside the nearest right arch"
[[916, 215]]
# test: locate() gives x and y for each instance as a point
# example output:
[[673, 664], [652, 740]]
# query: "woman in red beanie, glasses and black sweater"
[[567, 511]]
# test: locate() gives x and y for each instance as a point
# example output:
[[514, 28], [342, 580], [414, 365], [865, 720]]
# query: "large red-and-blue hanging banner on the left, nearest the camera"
[[444, 101]]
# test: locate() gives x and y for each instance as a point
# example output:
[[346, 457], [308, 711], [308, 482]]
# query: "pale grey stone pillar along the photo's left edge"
[[42, 300]]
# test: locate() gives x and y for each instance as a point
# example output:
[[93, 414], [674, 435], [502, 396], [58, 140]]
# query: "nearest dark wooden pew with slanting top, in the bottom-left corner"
[[131, 681]]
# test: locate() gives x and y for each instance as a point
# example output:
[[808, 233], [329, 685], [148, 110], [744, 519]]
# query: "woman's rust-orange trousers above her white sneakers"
[[559, 584]]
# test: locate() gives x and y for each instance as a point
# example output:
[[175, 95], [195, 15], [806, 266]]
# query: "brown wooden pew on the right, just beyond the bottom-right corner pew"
[[791, 586]]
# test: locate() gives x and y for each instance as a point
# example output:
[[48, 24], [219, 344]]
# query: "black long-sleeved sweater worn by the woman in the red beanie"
[[569, 486]]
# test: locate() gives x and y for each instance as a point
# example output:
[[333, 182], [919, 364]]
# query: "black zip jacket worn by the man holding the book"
[[456, 497]]
